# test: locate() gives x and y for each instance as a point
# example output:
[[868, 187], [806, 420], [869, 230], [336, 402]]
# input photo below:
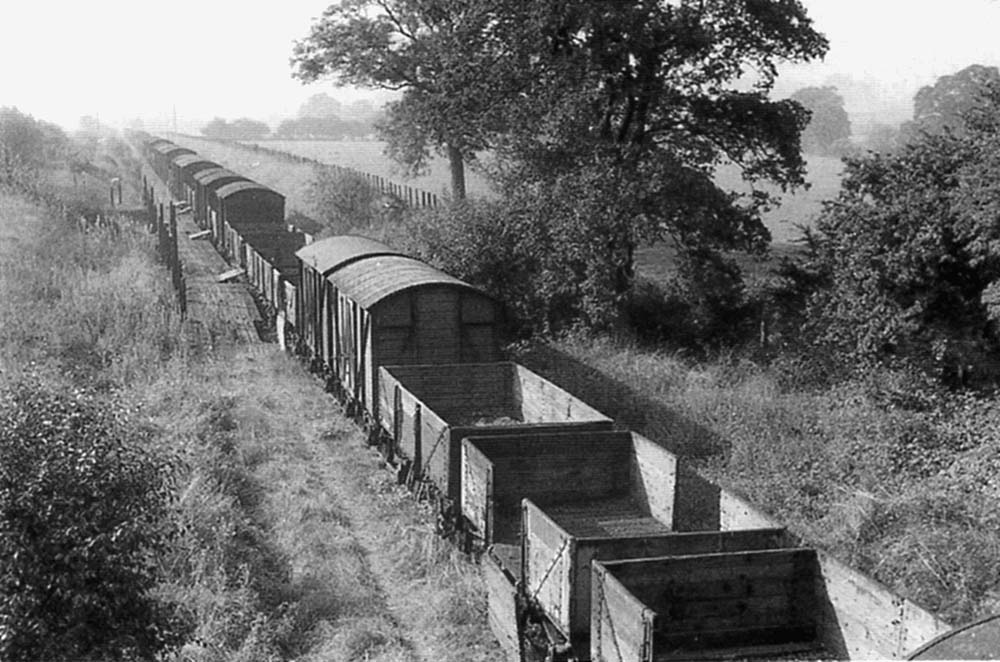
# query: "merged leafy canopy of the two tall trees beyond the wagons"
[[644, 97]]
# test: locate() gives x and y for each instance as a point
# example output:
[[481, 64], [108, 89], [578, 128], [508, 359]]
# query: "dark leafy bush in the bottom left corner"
[[83, 508]]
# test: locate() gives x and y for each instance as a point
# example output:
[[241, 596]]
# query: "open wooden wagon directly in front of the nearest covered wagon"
[[429, 409]]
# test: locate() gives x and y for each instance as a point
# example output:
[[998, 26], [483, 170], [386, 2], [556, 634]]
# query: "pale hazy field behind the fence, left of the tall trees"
[[367, 156]]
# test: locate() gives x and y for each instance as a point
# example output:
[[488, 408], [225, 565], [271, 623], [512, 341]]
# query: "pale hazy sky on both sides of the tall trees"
[[60, 60]]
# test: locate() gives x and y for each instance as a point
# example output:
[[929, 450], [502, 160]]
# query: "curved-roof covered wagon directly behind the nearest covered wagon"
[[317, 310]]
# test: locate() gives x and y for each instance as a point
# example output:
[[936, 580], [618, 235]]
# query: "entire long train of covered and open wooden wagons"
[[588, 551]]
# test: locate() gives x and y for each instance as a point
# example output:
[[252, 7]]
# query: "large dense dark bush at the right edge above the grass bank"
[[910, 257]]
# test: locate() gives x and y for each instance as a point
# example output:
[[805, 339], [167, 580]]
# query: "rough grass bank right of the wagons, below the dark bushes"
[[895, 478]]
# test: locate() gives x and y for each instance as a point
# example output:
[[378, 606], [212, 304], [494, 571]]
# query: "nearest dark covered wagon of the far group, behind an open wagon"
[[240, 205]]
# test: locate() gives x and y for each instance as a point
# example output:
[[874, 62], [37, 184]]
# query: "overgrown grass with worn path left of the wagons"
[[292, 543]]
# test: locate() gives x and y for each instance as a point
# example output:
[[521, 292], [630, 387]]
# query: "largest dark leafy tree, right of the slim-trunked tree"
[[646, 93]]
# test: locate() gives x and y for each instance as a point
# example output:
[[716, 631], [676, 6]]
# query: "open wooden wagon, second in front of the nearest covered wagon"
[[604, 473]]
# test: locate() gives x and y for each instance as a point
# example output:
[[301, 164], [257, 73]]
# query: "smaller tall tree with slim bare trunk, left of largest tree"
[[451, 60]]
